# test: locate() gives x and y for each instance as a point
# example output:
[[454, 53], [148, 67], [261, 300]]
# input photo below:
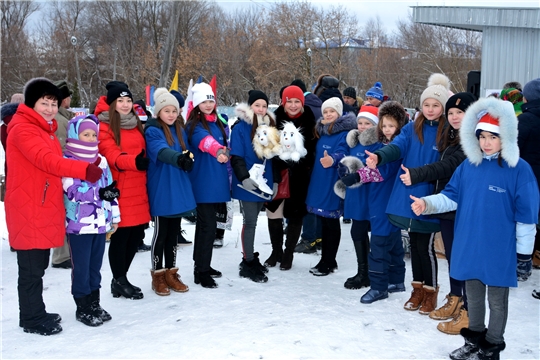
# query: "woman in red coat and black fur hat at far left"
[[35, 214]]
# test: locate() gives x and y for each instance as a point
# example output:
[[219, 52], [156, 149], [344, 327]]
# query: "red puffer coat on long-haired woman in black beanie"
[[133, 200]]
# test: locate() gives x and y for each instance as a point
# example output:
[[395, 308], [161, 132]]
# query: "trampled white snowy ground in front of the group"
[[295, 315]]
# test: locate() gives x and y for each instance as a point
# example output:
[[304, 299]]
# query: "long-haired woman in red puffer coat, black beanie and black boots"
[[121, 141]]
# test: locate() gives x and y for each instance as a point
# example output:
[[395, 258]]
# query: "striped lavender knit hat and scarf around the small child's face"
[[78, 149]]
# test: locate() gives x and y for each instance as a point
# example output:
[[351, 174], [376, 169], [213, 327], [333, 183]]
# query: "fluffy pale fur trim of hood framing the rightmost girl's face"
[[504, 112]]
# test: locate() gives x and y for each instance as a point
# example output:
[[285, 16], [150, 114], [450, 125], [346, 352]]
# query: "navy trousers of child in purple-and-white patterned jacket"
[[86, 258]]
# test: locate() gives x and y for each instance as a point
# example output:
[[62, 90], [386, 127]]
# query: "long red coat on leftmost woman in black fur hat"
[[35, 214]]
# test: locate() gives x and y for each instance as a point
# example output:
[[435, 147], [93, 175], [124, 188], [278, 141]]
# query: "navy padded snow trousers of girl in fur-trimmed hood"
[[386, 265]]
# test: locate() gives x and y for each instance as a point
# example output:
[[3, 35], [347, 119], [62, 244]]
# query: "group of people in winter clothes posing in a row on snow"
[[365, 161]]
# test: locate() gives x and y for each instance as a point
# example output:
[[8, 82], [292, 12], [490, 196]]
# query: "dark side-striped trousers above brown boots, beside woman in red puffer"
[[164, 242]]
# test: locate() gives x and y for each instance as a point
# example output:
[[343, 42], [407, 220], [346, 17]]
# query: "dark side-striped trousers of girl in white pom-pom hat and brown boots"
[[423, 258]]
